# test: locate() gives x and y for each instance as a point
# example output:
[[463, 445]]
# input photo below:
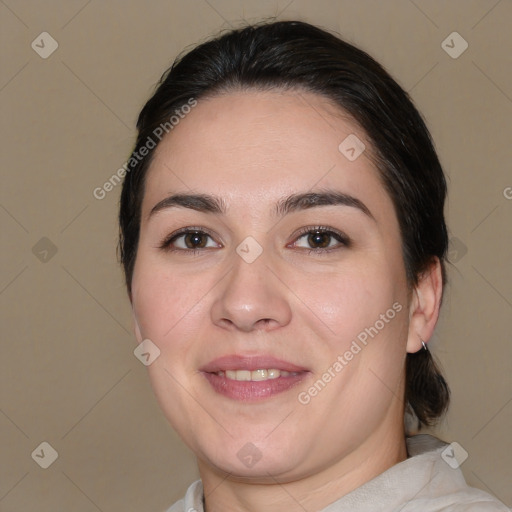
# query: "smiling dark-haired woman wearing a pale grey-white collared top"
[[283, 239]]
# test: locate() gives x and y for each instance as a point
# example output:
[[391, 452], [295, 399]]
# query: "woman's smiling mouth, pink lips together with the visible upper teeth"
[[250, 379]]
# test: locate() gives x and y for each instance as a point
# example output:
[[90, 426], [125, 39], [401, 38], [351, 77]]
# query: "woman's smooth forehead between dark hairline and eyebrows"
[[253, 147]]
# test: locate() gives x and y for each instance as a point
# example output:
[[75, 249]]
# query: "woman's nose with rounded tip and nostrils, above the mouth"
[[251, 297]]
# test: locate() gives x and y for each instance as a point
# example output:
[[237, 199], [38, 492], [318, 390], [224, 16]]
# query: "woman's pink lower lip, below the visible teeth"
[[247, 391]]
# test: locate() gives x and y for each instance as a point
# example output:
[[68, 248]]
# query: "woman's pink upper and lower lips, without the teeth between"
[[251, 391]]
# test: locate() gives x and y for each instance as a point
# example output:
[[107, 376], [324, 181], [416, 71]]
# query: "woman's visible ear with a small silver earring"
[[425, 305]]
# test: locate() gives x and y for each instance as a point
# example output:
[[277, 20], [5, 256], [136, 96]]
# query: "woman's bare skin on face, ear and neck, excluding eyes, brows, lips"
[[253, 149]]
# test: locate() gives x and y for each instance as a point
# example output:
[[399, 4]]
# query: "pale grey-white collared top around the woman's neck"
[[424, 482]]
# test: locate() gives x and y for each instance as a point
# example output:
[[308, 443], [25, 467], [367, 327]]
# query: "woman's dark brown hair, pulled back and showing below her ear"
[[299, 56]]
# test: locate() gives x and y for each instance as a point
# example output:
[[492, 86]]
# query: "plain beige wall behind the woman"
[[68, 373]]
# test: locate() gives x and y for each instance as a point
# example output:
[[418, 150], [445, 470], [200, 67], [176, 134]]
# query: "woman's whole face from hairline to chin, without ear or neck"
[[276, 291]]
